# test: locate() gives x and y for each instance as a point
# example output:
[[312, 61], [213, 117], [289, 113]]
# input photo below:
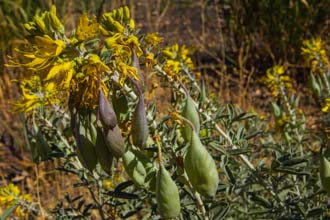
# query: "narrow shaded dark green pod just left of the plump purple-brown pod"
[[103, 154]]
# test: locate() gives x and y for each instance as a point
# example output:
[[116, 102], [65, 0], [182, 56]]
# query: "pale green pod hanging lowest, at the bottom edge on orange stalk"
[[167, 195]]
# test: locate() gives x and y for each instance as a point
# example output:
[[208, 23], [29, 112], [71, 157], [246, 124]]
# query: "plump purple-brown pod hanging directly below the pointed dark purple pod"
[[114, 141]]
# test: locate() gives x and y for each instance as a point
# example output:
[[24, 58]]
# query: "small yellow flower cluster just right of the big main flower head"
[[176, 59]]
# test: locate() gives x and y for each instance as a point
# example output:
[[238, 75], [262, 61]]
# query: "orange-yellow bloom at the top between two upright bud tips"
[[87, 28]]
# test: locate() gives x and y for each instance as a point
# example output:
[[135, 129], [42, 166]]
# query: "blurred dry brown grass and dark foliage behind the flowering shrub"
[[235, 41]]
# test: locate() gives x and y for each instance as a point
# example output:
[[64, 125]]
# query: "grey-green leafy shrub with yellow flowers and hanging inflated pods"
[[88, 101]]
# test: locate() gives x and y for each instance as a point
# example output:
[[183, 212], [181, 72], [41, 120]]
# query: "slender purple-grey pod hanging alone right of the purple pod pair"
[[139, 128]]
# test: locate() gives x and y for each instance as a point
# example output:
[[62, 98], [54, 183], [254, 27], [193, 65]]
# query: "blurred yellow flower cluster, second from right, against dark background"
[[276, 80]]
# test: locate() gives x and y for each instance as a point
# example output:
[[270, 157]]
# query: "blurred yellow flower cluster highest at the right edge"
[[315, 54]]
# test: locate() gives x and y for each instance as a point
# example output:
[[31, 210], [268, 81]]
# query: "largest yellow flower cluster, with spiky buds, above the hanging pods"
[[63, 67]]
